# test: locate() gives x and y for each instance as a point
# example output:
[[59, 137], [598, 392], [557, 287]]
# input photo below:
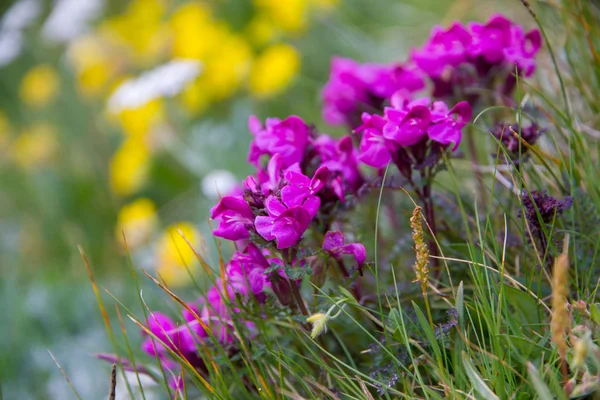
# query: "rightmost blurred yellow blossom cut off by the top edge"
[[289, 15]]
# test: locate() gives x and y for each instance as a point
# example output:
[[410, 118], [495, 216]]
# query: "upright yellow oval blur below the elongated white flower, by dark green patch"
[[130, 167]]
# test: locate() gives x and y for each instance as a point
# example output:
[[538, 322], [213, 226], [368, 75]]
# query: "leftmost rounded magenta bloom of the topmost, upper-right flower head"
[[445, 48]]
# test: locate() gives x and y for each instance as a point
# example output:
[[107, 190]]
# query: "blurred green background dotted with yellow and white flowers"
[[131, 116]]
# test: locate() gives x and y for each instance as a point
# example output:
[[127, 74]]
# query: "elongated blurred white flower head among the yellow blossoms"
[[166, 80]]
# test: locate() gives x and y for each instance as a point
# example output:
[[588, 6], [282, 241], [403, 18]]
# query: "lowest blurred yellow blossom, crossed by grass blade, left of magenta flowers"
[[174, 255]]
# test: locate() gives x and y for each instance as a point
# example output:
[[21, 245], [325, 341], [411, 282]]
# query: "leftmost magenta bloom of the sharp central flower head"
[[235, 218]]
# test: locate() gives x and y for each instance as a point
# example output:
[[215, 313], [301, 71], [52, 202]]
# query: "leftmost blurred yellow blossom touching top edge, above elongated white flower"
[[139, 28]]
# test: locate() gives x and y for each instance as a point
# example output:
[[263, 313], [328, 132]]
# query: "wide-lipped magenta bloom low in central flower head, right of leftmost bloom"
[[286, 229]]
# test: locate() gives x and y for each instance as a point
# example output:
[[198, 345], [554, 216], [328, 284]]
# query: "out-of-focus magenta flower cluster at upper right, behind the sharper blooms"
[[460, 61]]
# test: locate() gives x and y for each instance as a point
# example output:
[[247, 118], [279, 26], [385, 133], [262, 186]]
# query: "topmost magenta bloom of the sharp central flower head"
[[288, 138]]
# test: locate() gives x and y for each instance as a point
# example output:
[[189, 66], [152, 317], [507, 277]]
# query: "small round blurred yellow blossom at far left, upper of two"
[[39, 86]]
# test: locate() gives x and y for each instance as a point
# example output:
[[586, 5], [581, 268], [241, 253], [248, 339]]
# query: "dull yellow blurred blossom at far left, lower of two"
[[35, 146]]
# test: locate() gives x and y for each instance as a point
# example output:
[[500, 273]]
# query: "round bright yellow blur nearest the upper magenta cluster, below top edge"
[[274, 70]]
